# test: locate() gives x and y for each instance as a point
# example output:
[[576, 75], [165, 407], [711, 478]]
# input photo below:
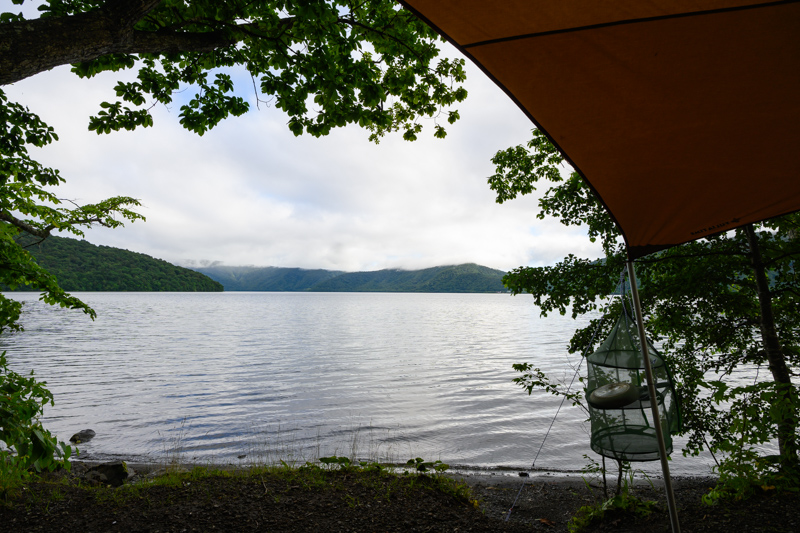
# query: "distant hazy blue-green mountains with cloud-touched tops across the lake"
[[457, 278]]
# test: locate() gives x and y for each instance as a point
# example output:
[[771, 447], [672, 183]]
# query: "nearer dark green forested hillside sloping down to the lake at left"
[[82, 266]]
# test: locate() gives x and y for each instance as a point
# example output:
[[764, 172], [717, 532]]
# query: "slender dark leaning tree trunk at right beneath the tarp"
[[787, 427]]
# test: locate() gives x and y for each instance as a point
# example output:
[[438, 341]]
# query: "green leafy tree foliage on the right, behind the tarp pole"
[[722, 329]]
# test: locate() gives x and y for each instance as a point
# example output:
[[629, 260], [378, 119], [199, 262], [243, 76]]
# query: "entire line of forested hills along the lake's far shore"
[[81, 266]]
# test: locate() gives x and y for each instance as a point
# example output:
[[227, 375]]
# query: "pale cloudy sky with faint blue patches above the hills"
[[251, 193]]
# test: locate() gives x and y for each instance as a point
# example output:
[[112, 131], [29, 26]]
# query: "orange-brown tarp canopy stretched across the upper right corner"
[[683, 116]]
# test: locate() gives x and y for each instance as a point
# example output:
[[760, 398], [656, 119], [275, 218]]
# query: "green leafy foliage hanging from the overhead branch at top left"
[[324, 63]]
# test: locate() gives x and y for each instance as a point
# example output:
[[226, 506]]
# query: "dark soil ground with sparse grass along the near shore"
[[366, 501]]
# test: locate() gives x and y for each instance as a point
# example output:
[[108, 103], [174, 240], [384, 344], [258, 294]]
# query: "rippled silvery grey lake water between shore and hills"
[[216, 376]]
